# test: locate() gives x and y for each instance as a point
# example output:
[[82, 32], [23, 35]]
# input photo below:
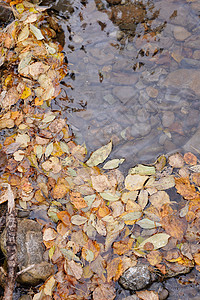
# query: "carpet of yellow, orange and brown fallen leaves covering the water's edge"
[[100, 223]]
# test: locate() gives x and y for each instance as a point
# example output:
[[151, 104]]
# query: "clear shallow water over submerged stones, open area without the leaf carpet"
[[133, 75]]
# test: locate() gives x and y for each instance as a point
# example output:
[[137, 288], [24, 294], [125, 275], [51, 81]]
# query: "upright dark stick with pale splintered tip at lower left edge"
[[11, 246]]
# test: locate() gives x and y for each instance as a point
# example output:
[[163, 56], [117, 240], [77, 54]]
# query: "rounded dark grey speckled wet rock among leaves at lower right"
[[137, 278]]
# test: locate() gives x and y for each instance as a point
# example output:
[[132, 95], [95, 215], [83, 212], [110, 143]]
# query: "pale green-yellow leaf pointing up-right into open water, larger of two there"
[[98, 156]]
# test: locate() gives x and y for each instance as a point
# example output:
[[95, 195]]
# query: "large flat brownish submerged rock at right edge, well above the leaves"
[[184, 78]]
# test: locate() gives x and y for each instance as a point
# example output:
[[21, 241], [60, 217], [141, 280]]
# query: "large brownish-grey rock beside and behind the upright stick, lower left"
[[30, 251]]
